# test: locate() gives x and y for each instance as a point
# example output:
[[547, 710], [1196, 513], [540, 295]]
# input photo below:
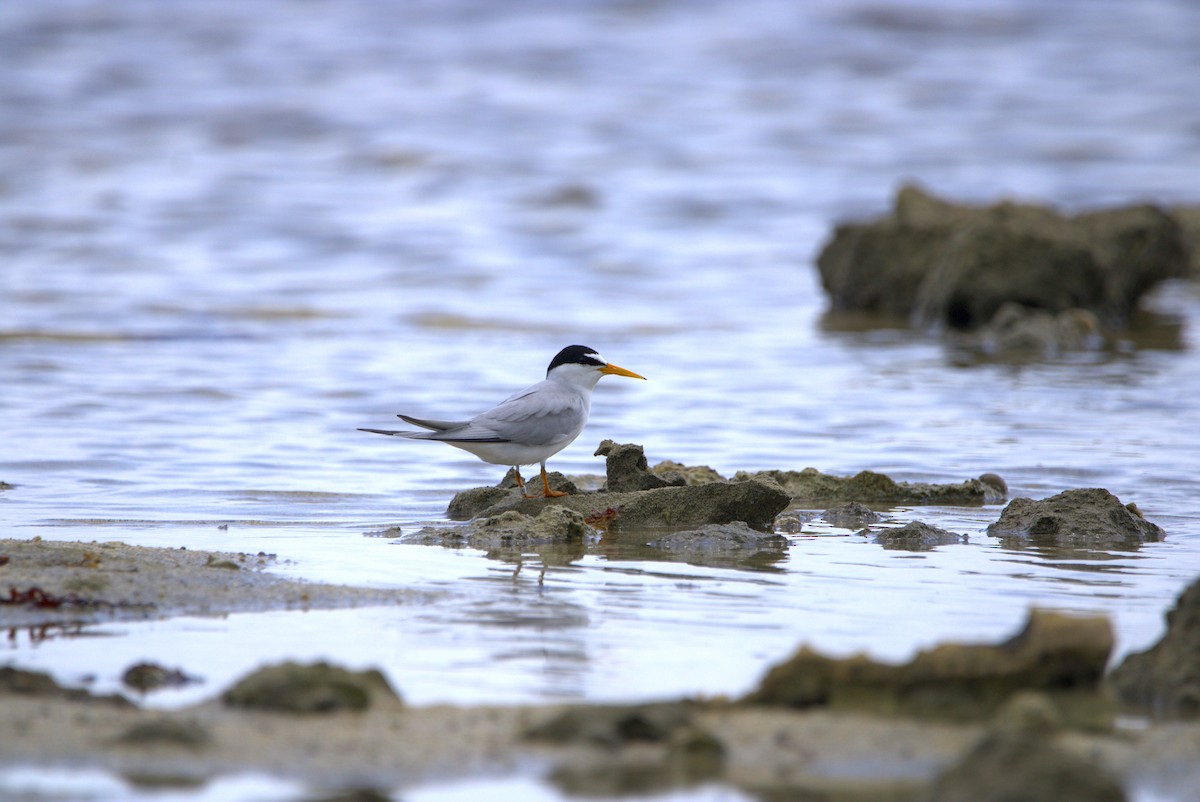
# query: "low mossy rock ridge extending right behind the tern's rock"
[[811, 487]]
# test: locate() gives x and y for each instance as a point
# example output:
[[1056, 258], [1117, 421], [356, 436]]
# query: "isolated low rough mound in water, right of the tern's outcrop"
[[1088, 519]]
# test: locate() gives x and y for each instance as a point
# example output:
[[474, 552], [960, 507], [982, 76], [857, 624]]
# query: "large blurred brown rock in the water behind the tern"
[[956, 266]]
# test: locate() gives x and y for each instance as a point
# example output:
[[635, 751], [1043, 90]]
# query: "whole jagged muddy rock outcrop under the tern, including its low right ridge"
[[687, 500]]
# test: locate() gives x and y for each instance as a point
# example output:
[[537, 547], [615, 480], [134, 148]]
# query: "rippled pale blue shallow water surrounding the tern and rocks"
[[235, 234]]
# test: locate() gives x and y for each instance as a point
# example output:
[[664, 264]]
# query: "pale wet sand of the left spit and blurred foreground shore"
[[392, 746]]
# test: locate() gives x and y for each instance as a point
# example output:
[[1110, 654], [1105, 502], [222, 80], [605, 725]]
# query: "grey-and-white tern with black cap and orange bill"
[[532, 426]]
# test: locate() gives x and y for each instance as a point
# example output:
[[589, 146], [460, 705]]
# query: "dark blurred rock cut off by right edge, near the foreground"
[[1165, 681]]
